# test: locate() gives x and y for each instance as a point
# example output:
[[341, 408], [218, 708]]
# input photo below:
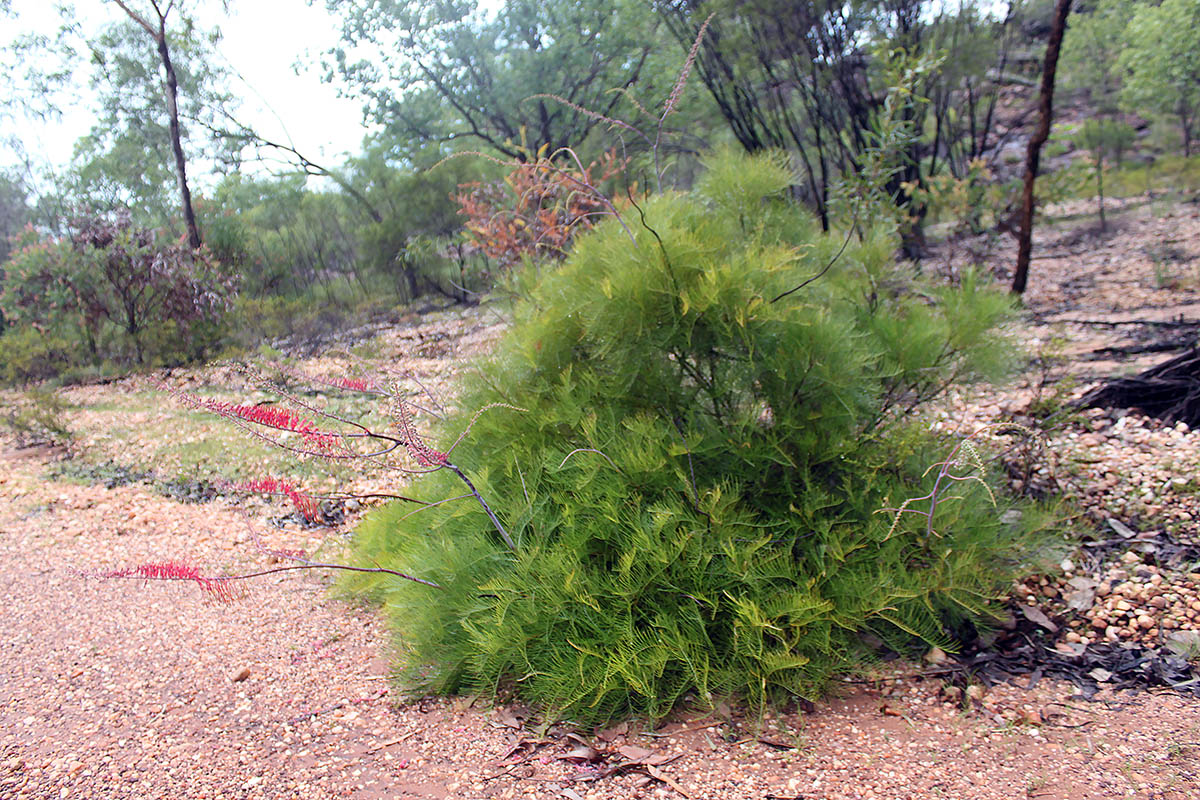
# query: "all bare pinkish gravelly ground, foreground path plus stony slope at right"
[[115, 689]]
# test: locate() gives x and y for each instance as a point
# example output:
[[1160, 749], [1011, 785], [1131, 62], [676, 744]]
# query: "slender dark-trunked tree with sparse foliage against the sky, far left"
[[154, 79]]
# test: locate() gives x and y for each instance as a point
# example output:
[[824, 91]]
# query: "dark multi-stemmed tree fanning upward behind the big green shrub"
[[800, 76]]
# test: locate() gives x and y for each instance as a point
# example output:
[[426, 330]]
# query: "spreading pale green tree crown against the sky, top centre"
[[458, 75]]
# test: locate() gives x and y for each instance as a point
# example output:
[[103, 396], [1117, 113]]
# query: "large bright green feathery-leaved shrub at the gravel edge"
[[694, 484]]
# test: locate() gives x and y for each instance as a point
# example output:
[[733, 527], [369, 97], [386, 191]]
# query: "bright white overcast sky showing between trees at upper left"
[[262, 41]]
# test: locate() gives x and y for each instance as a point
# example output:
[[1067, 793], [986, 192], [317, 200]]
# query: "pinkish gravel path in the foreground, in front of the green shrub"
[[118, 690]]
